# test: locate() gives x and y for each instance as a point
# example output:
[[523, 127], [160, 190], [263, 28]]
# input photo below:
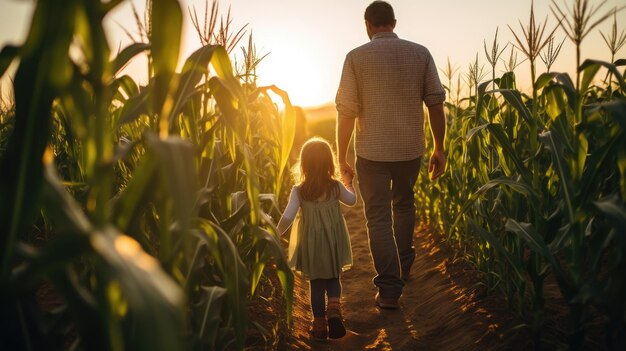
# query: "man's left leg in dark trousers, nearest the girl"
[[374, 179]]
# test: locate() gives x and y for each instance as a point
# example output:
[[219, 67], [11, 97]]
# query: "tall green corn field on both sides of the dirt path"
[[148, 208]]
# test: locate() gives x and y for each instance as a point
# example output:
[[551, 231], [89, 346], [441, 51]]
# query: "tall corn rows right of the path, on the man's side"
[[536, 181]]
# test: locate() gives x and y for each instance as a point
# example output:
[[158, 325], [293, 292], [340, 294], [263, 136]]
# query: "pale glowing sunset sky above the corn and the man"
[[306, 41]]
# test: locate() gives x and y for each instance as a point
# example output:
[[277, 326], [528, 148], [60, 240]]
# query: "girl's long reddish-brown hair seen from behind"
[[317, 170]]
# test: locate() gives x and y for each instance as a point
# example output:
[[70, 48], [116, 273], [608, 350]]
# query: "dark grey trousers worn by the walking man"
[[387, 192]]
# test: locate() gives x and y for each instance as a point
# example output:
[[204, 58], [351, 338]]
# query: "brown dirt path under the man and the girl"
[[439, 310]]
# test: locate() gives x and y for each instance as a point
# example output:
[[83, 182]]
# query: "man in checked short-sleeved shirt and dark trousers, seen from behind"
[[383, 87]]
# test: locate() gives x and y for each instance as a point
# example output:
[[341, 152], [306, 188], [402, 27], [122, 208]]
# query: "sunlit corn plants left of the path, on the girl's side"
[[141, 205]]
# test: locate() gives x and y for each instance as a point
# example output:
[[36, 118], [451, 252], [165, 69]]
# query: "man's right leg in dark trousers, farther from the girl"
[[403, 177]]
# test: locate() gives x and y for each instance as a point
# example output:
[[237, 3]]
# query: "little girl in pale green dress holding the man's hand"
[[319, 247]]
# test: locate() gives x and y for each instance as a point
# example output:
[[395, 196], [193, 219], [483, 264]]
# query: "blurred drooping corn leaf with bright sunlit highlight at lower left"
[[153, 297]]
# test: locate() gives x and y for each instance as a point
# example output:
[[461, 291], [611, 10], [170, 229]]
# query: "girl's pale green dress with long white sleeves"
[[319, 245]]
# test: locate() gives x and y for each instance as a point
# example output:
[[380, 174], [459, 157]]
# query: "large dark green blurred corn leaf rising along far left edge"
[[42, 70]]
